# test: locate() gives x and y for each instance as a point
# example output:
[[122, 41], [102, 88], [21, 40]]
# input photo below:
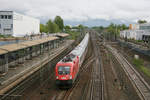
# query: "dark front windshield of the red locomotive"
[[63, 70]]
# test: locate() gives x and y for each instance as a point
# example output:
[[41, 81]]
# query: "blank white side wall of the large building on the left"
[[24, 25]]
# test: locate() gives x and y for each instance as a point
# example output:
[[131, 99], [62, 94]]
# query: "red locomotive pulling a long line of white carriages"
[[67, 69]]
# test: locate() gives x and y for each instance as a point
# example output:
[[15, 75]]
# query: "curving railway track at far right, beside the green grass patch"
[[141, 86]]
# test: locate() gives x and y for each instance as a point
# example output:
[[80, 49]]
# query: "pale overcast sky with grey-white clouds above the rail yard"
[[81, 10]]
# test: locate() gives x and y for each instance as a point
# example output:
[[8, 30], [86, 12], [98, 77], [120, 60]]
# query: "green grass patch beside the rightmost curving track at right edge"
[[140, 65]]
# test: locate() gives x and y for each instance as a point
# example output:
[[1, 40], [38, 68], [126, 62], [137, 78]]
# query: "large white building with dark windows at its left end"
[[12, 23]]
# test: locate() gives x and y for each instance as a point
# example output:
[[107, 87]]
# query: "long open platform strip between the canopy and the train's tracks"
[[22, 71]]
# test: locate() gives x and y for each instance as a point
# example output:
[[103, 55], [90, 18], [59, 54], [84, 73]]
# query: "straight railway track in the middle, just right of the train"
[[97, 84]]
